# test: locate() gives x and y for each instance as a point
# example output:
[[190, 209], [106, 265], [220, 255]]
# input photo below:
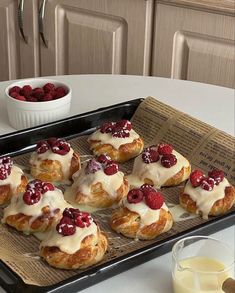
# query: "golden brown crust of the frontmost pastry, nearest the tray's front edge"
[[91, 252]]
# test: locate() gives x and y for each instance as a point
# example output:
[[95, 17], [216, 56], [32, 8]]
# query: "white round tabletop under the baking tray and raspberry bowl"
[[211, 104]]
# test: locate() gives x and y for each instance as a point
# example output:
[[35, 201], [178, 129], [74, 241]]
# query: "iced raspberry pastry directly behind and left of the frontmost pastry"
[[37, 209]]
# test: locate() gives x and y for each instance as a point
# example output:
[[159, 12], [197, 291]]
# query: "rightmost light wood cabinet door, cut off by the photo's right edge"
[[194, 45]]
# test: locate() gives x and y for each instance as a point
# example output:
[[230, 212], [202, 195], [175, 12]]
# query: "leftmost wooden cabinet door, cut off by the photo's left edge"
[[18, 59]]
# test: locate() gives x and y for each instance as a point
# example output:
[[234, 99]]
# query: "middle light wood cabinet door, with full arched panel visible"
[[96, 36]]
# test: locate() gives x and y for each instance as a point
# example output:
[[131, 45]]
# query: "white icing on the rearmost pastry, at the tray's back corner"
[[116, 142]]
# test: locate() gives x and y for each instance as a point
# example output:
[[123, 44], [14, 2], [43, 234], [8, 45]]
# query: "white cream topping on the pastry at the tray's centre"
[[110, 183]]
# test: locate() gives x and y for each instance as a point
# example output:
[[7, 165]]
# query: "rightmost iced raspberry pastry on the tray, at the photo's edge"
[[207, 196]]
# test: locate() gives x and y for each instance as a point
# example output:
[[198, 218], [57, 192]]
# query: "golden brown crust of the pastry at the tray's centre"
[[99, 198]]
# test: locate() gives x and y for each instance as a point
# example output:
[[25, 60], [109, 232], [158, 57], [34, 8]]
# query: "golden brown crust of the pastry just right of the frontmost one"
[[128, 223]]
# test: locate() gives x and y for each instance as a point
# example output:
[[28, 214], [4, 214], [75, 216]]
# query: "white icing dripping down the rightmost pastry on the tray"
[[205, 199]]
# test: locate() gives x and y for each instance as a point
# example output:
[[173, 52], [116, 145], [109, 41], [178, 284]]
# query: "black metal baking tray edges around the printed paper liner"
[[20, 142]]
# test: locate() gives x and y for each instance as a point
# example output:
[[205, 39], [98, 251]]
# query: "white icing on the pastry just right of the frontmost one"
[[147, 215]]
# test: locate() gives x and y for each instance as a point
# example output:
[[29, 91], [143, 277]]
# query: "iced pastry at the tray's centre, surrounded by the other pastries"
[[99, 183]]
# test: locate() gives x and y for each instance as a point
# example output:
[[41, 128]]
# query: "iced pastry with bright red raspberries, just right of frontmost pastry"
[[144, 214]]
